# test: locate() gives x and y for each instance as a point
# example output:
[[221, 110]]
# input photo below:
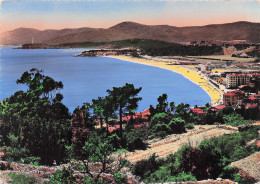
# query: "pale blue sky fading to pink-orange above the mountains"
[[57, 14]]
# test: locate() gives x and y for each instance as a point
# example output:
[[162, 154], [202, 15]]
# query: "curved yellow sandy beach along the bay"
[[212, 91]]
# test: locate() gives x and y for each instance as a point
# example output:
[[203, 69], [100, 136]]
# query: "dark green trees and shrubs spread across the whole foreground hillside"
[[35, 129]]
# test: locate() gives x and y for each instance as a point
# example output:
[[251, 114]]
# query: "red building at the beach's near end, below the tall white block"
[[232, 97]]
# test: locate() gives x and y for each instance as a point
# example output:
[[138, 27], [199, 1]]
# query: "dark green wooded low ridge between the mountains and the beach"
[[153, 47]]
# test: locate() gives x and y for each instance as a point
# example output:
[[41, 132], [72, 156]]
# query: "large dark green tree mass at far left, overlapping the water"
[[36, 120]]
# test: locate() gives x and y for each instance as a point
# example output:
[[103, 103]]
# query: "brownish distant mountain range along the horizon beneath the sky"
[[129, 30]]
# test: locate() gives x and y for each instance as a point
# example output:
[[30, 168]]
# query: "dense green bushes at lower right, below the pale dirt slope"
[[210, 160]]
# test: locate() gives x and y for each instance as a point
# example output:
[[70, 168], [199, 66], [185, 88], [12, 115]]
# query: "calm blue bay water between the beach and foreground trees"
[[86, 78]]
